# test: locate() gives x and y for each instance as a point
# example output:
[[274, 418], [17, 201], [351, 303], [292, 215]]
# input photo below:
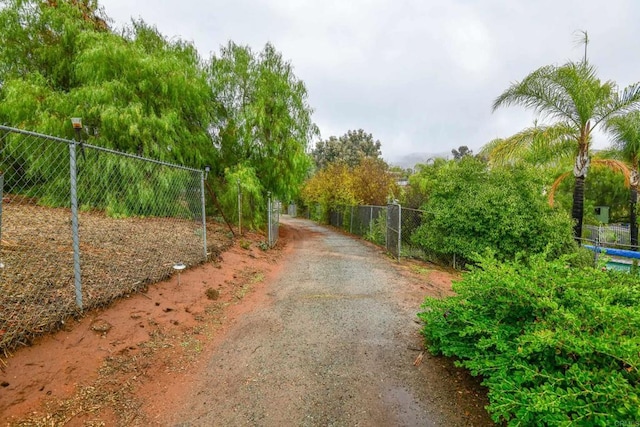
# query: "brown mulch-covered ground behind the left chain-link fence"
[[118, 256]]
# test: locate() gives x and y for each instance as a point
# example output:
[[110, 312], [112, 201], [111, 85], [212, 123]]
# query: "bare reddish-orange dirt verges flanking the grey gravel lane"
[[131, 362]]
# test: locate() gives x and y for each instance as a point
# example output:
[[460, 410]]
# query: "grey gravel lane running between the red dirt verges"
[[334, 346]]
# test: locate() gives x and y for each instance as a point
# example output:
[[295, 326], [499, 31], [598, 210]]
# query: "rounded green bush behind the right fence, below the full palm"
[[471, 207]]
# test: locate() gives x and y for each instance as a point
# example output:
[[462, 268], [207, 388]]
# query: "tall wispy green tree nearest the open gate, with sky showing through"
[[263, 118]]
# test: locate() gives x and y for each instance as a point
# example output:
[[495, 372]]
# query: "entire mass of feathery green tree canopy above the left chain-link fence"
[[141, 93]]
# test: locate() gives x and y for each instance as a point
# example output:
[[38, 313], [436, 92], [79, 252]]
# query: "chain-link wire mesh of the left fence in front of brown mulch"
[[136, 218]]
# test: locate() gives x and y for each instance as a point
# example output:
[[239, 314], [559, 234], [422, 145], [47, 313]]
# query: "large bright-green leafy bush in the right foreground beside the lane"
[[555, 345]]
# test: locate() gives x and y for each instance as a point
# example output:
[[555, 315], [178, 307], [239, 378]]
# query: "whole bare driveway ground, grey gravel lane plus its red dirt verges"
[[319, 331]]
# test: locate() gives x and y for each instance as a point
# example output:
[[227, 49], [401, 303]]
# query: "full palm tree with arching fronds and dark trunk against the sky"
[[573, 95]]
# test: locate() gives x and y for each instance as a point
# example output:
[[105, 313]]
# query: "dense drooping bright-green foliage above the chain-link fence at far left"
[[135, 90]]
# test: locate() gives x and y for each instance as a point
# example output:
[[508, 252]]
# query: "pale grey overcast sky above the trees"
[[420, 75]]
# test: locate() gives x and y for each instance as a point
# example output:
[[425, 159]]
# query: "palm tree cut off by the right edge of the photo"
[[625, 131]]
